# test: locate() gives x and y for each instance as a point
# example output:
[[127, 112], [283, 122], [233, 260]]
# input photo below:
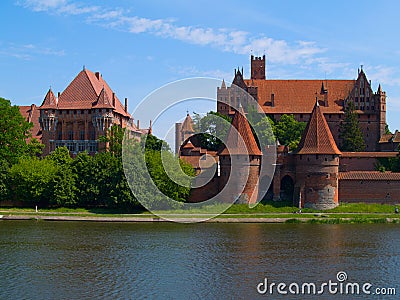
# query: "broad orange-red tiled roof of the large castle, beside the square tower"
[[298, 96]]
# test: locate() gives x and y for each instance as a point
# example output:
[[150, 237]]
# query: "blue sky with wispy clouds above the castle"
[[139, 46]]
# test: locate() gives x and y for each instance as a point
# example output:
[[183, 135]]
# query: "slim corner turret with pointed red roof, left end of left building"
[[48, 121]]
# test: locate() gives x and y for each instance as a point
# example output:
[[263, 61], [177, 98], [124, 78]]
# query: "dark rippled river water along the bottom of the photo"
[[71, 260]]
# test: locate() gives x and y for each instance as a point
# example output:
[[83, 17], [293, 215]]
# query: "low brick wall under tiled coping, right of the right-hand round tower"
[[369, 191]]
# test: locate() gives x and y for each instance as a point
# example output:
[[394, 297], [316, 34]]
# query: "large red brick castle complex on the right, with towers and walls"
[[315, 175]]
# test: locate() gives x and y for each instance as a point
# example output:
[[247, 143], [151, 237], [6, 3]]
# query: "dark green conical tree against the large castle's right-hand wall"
[[350, 133]]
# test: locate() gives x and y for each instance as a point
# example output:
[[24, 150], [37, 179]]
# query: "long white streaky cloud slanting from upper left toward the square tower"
[[227, 40]]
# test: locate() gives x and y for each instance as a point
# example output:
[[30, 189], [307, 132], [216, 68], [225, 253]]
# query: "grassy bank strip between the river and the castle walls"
[[345, 213]]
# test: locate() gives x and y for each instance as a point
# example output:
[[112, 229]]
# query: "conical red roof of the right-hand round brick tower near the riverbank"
[[317, 137]]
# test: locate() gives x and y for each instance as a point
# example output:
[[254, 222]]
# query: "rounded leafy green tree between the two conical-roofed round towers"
[[289, 131]]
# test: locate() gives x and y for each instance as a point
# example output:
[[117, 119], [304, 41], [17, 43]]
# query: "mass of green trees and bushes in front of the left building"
[[58, 180]]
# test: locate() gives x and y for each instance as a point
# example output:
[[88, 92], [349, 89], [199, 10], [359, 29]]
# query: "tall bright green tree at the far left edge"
[[14, 130]]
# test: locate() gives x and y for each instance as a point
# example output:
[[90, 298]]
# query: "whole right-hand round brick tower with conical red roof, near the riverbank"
[[317, 165]]
